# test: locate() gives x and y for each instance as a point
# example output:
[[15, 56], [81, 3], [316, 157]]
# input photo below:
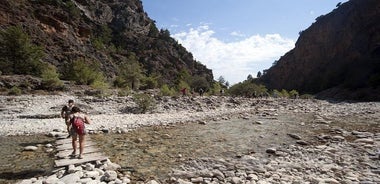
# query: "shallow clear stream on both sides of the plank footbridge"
[[152, 152]]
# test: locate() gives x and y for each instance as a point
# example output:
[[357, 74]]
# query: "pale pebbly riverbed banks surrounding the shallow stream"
[[340, 143]]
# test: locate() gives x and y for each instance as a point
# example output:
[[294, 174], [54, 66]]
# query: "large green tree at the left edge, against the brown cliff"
[[17, 54]]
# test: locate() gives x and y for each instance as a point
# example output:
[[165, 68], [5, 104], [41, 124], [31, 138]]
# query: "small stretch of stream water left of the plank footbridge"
[[16, 164]]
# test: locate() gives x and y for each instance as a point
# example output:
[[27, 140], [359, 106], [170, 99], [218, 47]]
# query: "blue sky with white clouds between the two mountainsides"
[[236, 38]]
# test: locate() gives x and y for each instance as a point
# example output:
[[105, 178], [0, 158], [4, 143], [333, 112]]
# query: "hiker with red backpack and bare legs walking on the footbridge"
[[77, 120]]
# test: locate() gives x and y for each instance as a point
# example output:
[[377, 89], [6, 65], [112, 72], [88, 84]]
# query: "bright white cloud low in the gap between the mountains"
[[234, 60]]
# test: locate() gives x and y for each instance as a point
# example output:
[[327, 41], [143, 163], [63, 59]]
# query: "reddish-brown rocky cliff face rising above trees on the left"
[[69, 30]]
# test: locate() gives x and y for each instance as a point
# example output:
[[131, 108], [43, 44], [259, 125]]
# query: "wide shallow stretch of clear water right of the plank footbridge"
[[152, 152]]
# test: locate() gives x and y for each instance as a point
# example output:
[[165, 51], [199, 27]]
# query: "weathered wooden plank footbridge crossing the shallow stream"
[[90, 153]]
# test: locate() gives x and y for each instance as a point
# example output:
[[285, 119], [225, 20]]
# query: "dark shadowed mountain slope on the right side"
[[339, 52]]
